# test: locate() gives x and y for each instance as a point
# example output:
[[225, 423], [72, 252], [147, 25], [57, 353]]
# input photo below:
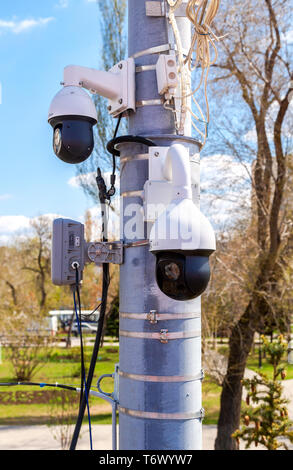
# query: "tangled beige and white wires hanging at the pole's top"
[[201, 14]]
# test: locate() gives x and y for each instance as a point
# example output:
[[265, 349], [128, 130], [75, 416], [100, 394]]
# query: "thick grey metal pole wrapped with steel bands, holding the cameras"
[[159, 380]]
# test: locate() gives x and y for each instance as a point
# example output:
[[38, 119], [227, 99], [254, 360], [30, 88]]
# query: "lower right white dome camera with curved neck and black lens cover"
[[182, 238]]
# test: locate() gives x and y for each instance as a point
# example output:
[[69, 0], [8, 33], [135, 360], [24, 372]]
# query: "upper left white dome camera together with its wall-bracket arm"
[[72, 112]]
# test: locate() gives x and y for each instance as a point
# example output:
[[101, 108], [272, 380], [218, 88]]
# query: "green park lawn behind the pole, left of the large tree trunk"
[[64, 367]]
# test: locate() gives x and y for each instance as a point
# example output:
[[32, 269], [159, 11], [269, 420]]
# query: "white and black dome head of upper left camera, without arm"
[[72, 115]]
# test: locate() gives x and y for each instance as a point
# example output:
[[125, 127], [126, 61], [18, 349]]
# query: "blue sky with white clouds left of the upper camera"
[[37, 39]]
